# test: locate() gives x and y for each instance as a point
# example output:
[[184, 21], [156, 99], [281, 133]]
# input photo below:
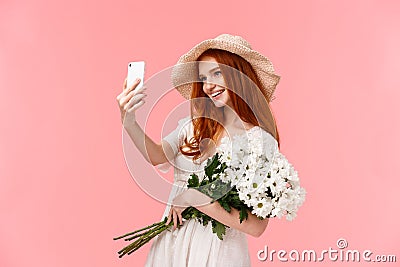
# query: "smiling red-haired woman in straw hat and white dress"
[[230, 87]]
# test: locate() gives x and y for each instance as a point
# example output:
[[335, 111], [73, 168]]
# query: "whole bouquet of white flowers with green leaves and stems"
[[246, 174]]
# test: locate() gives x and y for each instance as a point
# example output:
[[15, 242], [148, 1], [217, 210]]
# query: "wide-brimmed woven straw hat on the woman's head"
[[183, 74]]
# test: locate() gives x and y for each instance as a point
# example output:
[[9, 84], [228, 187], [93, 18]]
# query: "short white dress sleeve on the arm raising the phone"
[[174, 139]]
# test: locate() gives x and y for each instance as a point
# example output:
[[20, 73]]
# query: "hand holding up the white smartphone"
[[130, 100]]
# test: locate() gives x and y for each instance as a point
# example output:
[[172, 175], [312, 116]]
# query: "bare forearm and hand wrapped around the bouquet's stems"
[[191, 197]]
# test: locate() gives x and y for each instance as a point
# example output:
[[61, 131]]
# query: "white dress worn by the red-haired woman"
[[193, 244]]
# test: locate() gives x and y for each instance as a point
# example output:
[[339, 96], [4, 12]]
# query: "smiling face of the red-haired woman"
[[213, 82]]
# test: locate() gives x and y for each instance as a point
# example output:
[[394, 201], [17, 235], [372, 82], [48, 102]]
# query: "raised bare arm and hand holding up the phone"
[[129, 101]]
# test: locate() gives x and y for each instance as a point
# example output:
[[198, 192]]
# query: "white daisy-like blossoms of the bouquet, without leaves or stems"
[[263, 177]]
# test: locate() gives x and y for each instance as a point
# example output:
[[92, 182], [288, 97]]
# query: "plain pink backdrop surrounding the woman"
[[65, 190]]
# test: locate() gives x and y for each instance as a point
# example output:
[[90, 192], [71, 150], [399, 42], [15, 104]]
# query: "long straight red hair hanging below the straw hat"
[[249, 102]]
